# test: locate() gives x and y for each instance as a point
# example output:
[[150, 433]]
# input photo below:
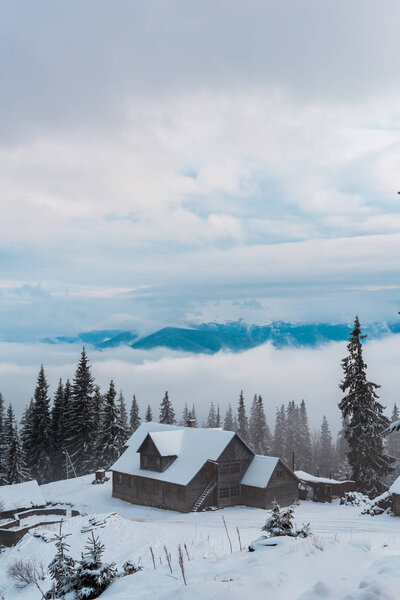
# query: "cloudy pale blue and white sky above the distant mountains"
[[167, 163]]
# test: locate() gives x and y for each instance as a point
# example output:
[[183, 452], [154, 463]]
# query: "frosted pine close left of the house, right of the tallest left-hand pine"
[[112, 437]]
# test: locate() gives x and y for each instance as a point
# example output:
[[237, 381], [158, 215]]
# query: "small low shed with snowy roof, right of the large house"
[[322, 489]]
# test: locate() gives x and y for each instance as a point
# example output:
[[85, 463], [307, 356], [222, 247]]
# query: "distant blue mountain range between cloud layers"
[[209, 338]]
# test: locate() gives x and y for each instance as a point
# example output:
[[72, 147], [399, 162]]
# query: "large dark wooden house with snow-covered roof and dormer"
[[187, 469]]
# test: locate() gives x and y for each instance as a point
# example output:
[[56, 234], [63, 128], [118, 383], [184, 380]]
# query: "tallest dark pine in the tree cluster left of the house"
[[82, 440]]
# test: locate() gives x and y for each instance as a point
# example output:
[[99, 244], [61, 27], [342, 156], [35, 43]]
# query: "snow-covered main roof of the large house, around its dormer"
[[197, 445]]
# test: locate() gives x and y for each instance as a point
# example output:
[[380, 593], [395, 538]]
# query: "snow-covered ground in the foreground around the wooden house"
[[349, 557]]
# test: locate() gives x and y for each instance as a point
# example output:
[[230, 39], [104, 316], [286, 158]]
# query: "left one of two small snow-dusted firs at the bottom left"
[[62, 568]]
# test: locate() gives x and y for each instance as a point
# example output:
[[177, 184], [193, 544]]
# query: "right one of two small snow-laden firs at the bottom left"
[[92, 576]]
